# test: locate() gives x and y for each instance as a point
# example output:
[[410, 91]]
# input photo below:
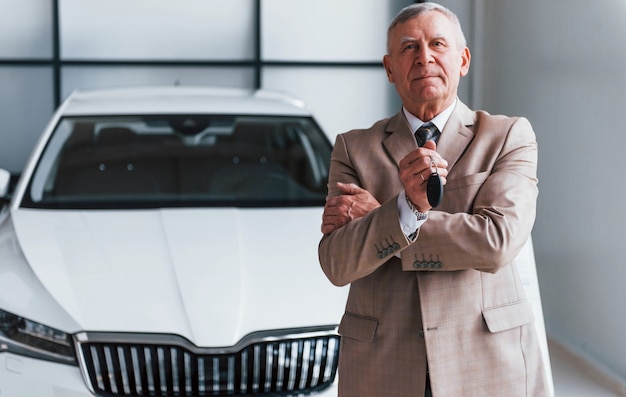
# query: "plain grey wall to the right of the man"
[[561, 64]]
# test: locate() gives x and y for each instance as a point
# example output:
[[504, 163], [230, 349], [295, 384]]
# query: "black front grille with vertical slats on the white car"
[[290, 363]]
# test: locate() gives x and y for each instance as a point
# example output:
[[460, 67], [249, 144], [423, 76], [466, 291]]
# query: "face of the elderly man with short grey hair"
[[425, 63]]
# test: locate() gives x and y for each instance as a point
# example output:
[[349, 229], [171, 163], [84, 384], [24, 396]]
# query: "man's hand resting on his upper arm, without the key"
[[352, 204]]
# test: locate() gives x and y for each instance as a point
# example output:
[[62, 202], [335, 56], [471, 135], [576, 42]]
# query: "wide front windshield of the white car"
[[181, 161]]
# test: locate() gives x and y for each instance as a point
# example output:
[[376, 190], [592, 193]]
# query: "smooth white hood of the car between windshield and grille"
[[210, 275]]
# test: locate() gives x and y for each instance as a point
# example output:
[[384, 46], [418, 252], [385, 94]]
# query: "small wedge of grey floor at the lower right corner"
[[572, 380]]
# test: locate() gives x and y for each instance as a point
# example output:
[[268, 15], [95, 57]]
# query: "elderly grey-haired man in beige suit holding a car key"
[[436, 304]]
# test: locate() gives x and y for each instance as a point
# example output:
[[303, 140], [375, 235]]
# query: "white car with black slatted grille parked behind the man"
[[163, 242]]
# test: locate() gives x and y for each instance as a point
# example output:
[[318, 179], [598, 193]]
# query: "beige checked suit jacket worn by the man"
[[452, 304]]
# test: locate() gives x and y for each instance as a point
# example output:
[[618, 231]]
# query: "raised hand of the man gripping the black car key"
[[415, 169]]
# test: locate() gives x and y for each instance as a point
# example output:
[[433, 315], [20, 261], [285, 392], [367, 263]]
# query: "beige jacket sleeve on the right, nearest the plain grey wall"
[[489, 208]]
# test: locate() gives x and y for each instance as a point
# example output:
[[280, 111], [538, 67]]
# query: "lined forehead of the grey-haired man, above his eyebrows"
[[427, 25]]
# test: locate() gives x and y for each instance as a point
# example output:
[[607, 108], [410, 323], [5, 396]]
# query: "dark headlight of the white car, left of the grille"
[[21, 336]]
